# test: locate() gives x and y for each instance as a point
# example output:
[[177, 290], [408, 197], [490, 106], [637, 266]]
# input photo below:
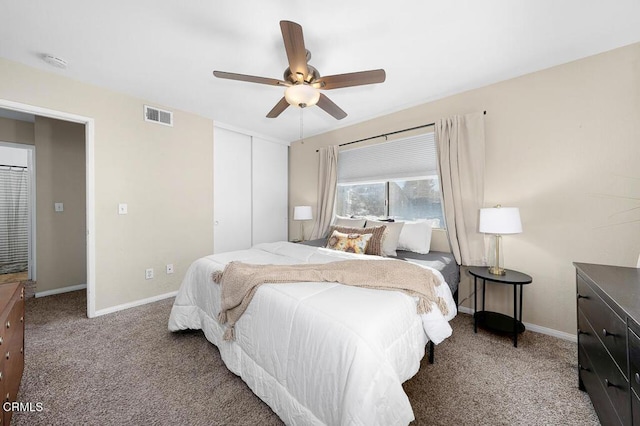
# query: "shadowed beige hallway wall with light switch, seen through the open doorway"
[[60, 178]]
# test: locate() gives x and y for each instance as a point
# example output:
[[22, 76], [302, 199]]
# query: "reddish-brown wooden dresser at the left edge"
[[11, 345]]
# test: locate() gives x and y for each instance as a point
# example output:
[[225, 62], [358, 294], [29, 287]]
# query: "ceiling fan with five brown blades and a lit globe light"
[[303, 81]]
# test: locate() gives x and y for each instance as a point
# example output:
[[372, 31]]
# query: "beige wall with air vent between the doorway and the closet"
[[163, 173]]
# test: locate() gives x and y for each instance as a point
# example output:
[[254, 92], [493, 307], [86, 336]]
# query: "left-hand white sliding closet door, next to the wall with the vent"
[[231, 190]]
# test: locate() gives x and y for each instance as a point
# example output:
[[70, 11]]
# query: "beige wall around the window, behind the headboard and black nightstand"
[[563, 145]]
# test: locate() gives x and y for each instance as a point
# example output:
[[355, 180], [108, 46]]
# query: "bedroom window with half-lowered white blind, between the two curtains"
[[397, 179]]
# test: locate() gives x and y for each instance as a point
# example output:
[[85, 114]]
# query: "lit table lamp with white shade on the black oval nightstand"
[[498, 221]]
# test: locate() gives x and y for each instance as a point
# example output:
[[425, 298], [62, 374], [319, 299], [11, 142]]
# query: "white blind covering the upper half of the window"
[[405, 158]]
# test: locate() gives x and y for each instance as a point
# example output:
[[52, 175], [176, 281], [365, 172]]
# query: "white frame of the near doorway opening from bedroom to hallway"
[[89, 127]]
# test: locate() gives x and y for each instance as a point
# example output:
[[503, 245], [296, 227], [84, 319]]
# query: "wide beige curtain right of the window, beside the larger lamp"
[[460, 144]]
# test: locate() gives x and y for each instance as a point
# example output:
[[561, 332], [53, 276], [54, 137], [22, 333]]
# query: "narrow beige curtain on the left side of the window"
[[327, 181]]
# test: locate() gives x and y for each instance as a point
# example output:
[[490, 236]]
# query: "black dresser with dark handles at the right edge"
[[608, 299]]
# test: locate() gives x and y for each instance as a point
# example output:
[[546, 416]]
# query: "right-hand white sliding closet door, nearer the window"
[[270, 197]]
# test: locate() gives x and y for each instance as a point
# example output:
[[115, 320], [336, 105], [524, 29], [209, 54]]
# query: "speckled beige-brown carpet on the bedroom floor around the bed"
[[127, 369]]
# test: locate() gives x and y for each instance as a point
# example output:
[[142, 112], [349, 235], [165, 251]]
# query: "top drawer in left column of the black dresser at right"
[[609, 327]]
